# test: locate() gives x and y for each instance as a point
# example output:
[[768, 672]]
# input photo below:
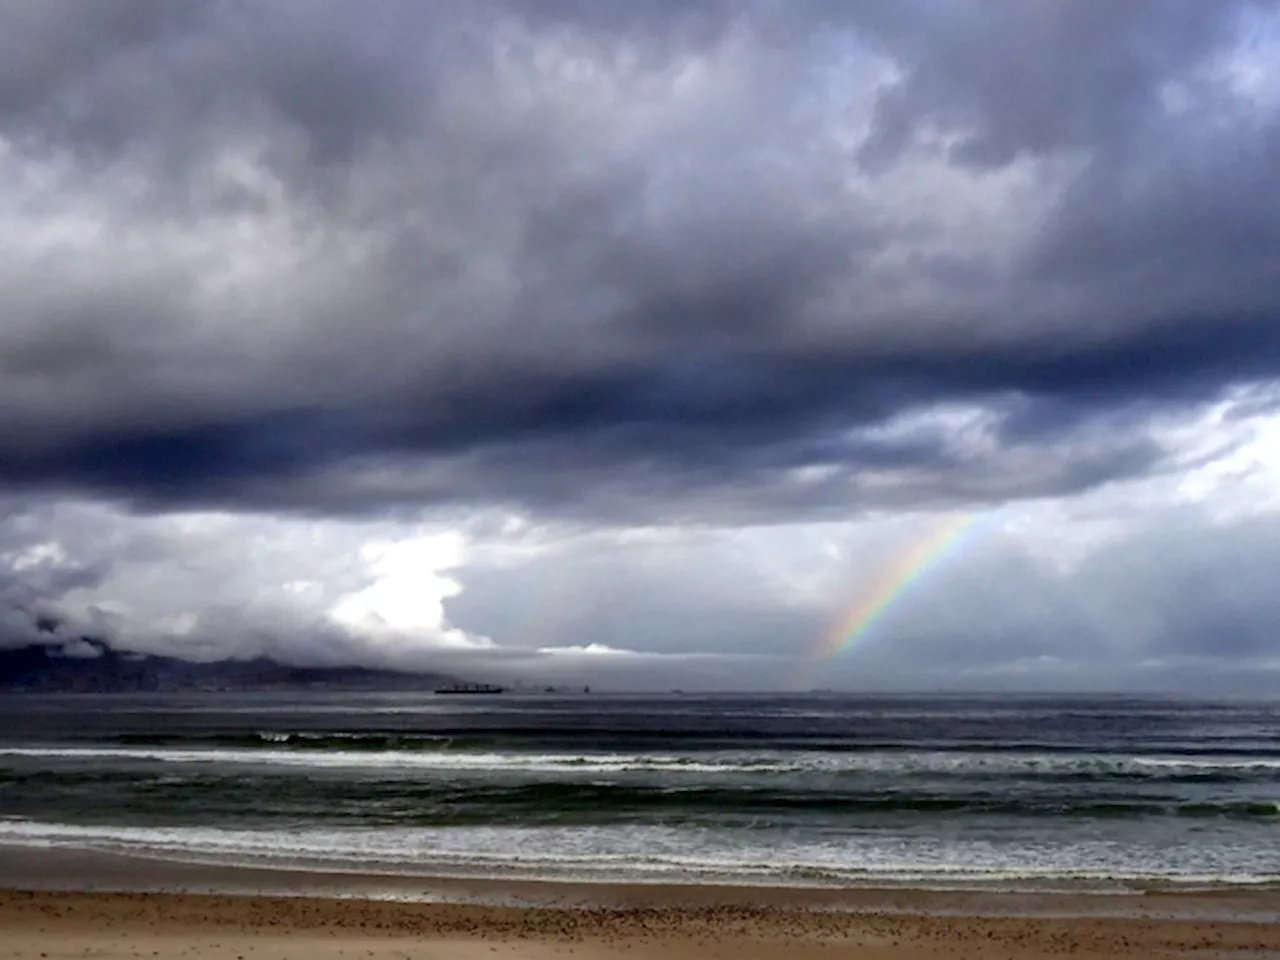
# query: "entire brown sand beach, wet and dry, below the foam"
[[67, 903]]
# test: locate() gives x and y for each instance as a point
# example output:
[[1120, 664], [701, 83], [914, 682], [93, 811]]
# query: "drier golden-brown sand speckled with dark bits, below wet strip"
[[218, 927]]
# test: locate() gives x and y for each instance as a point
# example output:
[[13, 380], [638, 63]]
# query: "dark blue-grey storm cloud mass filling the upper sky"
[[335, 258]]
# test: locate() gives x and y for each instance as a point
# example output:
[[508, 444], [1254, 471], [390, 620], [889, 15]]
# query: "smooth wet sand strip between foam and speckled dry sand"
[[65, 871]]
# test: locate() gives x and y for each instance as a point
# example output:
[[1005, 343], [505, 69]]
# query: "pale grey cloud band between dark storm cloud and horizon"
[[1167, 597]]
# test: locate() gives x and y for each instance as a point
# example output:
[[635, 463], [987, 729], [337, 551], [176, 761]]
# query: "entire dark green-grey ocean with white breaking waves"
[[1103, 794]]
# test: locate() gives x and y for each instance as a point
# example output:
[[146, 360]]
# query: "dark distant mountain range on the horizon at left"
[[94, 666]]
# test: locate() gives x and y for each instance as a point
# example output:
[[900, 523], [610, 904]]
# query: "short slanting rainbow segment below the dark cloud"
[[894, 583]]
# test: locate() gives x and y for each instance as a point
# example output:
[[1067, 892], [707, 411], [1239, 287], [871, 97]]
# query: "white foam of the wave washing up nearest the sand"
[[641, 854]]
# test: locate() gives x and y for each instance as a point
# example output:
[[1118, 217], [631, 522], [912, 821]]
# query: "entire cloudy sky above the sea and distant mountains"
[[641, 344]]
